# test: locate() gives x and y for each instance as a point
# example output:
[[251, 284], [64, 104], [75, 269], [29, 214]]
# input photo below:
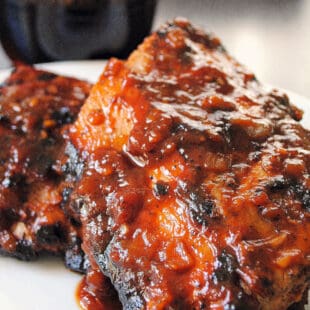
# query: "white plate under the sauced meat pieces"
[[46, 284]]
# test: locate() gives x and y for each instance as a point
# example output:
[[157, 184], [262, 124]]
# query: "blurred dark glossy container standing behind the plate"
[[48, 30]]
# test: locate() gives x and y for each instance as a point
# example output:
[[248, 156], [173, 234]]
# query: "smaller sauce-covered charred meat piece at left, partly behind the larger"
[[35, 110]]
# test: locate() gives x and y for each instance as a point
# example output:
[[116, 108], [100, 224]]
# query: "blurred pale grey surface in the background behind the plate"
[[271, 37]]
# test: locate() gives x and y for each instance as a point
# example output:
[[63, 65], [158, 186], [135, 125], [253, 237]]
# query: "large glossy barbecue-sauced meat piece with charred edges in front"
[[196, 188]]
